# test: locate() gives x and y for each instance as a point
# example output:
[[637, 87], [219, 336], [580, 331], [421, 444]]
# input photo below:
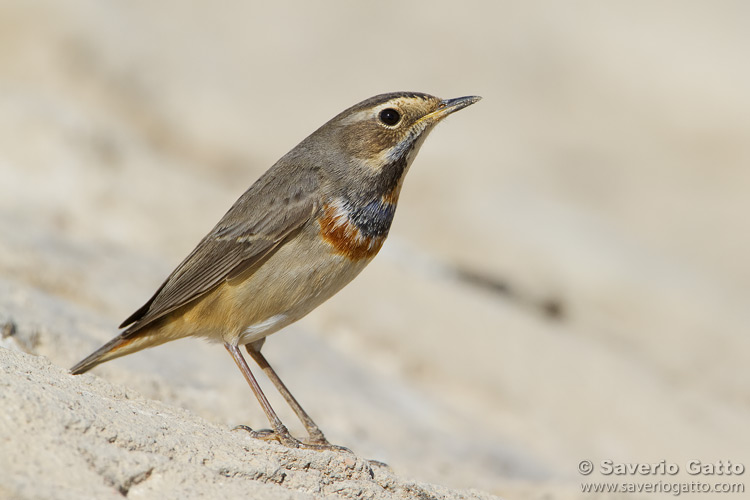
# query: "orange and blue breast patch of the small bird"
[[356, 231]]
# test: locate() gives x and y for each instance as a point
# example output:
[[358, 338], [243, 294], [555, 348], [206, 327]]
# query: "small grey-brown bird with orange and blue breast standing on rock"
[[297, 236]]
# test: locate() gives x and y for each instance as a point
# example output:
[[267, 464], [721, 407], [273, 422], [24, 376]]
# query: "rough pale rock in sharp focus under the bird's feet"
[[82, 437]]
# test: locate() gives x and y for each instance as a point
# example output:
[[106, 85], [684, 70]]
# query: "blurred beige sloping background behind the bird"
[[567, 277]]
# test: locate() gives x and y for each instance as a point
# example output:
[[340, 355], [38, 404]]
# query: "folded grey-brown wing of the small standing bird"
[[275, 206]]
